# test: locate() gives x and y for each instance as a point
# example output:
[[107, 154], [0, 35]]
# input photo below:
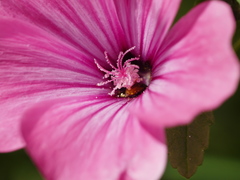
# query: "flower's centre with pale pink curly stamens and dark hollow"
[[125, 76]]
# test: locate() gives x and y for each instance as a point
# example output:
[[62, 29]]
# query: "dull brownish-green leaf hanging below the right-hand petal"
[[186, 144]]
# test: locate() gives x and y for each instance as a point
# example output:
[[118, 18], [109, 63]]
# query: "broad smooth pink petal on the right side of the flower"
[[196, 69]]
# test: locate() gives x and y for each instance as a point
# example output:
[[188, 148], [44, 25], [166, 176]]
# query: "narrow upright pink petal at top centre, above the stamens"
[[146, 22]]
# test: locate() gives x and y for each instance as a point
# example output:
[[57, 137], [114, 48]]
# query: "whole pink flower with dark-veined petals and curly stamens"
[[76, 125]]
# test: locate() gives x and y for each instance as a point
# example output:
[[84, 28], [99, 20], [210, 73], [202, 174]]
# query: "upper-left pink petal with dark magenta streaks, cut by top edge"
[[90, 26]]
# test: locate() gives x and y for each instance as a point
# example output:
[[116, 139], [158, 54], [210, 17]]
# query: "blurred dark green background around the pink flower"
[[222, 158]]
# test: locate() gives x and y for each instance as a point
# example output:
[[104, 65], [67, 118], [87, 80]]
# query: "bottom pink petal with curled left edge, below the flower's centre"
[[92, 139]]
